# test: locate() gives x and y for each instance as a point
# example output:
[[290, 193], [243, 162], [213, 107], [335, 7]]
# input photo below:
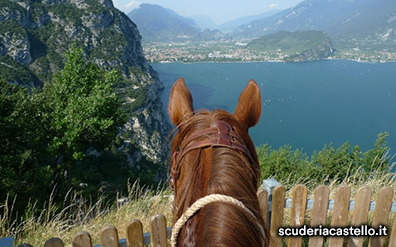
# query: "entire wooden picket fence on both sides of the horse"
[[299, 209]]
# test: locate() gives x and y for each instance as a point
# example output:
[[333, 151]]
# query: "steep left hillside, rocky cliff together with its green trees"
[[67, 120]]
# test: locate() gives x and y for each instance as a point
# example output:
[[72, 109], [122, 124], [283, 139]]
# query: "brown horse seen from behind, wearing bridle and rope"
[[215, 172]]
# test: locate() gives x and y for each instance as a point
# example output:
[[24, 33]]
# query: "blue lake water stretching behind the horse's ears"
[[306, 105]]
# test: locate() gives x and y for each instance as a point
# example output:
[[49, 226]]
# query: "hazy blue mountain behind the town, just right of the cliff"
[[158, 24]]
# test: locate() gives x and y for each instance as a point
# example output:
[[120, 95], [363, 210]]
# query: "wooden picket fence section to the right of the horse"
[[344, 213]]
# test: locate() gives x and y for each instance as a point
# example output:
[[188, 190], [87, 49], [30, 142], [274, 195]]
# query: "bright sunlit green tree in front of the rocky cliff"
[[82, 111]]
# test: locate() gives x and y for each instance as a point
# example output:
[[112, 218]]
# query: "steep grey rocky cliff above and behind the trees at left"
[[34, 36]]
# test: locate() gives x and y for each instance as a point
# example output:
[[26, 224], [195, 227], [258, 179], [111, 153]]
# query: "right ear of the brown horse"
[[248, 109]]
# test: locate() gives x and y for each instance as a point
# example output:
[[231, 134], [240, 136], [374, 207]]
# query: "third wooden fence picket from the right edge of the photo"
[[340, 213]]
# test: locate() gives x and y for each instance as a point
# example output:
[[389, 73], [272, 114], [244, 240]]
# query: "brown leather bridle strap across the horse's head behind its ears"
[[219, 134]]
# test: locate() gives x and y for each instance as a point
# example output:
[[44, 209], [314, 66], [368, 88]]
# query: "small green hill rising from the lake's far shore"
[[295, 46]]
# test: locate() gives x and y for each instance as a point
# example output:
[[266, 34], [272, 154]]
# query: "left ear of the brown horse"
[[180, 104]]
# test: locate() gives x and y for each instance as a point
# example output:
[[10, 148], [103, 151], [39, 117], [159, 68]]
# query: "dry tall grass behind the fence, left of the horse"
[[82, 216]]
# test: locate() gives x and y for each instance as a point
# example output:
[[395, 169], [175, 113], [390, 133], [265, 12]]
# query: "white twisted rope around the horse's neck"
[[202, 202]]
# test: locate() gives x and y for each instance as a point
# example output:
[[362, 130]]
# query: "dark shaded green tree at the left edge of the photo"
[[22, 150]]
